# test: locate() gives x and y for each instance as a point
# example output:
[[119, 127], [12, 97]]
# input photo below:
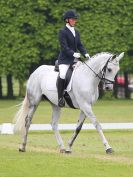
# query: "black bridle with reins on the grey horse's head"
[[103, 71]]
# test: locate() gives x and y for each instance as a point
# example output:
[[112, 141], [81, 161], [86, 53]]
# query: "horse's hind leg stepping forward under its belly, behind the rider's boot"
[[54, 124]]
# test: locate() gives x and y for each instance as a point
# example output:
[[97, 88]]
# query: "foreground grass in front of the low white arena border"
[[88, 159]]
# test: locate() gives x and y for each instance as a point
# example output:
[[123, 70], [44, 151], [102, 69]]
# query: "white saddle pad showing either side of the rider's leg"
[[52, 78]]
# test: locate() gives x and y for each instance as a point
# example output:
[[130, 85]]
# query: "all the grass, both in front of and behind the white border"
[[88, 159]]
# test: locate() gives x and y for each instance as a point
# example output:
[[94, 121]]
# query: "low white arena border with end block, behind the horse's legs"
[[7, 128]]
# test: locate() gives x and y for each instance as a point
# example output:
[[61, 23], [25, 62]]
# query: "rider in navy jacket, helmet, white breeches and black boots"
[[70, 45]]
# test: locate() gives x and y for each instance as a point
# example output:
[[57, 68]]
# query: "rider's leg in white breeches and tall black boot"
[[61, 83]]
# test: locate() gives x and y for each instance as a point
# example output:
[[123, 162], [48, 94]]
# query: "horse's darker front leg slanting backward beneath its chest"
[[78, 128]]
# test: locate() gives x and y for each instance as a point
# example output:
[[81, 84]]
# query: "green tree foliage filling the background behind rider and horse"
[[29, 29]]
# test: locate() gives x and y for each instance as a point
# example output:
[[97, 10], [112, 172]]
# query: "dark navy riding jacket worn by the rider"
[[69, 45]]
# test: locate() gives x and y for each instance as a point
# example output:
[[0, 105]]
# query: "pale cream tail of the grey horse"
[[20, 117]]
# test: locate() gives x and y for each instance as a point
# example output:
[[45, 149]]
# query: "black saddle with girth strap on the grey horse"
[[67, 80]]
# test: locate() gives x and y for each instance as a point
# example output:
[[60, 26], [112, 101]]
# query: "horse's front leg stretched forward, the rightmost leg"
[[88, 112]]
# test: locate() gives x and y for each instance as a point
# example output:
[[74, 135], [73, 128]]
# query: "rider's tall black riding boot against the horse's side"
[[60, 88]]
